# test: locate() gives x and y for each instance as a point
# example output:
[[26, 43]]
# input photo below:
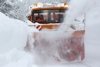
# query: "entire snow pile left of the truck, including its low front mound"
[[13, 39]]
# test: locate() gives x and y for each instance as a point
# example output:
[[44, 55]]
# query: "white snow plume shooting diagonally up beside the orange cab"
[[76, 7]]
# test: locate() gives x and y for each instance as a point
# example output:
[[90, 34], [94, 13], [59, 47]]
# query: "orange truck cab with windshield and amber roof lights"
[[49, 17]]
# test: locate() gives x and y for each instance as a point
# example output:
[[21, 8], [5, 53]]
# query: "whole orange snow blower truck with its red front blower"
[[69, 45]]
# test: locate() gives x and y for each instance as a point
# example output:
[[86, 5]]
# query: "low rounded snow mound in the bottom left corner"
[[16, 58]]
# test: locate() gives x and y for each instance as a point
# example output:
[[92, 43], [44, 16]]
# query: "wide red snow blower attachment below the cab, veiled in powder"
[[68, 45]]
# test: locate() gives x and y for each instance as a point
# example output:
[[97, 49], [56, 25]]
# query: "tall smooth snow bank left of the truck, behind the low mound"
[[13, 33]]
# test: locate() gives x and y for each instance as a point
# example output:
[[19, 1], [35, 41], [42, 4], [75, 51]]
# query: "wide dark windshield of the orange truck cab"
[[48, 16]]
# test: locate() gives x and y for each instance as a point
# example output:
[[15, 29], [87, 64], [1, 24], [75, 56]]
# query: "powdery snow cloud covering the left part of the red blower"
[[46, 45]]
